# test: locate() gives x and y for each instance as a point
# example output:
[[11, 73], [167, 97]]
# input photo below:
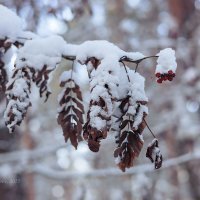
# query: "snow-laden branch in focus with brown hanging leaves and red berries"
[[116, 93]]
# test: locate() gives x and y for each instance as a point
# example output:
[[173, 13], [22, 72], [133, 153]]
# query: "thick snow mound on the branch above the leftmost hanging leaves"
[[41, 51]]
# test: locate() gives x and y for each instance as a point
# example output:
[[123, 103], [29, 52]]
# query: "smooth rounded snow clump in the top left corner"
[[11, 25]]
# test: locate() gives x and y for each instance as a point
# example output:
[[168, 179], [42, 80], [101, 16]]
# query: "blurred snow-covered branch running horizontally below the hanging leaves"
[[144, 168]]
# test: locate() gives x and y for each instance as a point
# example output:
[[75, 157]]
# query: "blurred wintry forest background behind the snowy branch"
[[42, 166]]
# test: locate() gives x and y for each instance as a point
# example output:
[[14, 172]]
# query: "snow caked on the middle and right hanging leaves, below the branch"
[[135, 88]]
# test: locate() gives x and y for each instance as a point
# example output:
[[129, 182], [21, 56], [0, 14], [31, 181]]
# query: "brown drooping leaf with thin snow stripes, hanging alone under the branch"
[[71, 116]]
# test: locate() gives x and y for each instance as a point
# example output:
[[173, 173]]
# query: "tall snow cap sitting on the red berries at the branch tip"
[[166, 61]]
